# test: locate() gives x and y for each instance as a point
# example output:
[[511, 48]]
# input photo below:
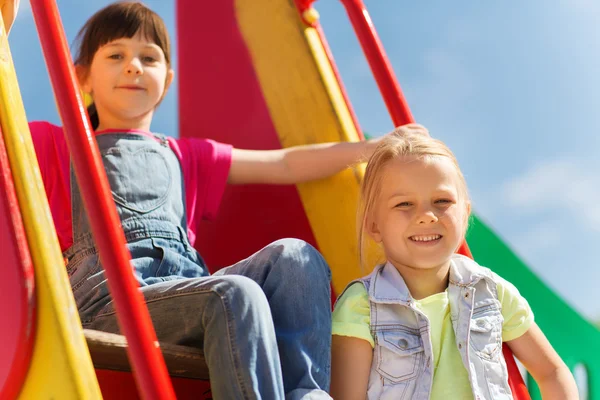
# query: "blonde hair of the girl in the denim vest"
[[406, 141]]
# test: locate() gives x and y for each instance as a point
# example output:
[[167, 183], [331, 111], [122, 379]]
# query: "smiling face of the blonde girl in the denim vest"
[[420, 215]]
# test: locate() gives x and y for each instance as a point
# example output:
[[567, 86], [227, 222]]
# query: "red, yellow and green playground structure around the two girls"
[[272, 56]]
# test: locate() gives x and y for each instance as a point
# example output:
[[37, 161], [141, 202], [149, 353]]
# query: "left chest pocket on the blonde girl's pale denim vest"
[[400, 355]]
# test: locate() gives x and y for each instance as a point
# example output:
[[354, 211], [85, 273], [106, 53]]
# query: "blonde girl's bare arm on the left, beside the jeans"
[[350, 367]]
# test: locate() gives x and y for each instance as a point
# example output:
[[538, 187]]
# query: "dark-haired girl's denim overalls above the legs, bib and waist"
[[146, 182]]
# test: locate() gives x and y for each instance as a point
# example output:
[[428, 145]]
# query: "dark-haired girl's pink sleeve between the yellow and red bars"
[[53, 159]]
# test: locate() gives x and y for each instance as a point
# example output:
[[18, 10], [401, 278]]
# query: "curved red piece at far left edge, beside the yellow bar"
[[17, 289]]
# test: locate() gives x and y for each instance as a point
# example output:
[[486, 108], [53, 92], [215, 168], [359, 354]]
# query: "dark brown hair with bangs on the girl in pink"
[[119, 20]]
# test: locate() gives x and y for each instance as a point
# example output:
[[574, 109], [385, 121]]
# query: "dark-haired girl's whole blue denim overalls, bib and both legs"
[[263, 323]]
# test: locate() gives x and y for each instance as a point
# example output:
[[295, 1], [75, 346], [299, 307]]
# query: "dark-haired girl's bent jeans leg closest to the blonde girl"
[[296, 281]]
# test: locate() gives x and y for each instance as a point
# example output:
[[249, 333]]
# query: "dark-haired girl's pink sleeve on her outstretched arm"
[[205, 165]]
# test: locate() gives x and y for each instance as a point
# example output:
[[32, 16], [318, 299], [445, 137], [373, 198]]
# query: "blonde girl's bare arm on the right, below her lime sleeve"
[[544, 364]]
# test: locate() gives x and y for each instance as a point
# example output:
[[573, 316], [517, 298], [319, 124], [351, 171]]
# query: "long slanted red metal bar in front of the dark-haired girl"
[[150, 371]]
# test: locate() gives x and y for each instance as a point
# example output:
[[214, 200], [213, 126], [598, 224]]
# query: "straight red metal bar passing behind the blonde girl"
[[400, 113]]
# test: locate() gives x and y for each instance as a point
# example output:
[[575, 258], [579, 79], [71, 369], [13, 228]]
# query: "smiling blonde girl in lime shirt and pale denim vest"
[[428, 323]]
